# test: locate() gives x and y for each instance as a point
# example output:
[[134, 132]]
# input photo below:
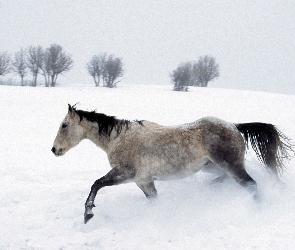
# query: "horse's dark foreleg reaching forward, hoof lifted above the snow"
[[116, 176]]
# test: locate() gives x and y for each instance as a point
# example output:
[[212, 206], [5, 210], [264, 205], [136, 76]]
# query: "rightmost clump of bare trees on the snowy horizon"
[[195, 73]]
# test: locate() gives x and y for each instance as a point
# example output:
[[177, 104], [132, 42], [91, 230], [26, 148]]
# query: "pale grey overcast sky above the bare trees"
[[253, 41]]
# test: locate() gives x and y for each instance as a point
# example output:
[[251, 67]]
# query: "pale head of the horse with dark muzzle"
[[70, 133]]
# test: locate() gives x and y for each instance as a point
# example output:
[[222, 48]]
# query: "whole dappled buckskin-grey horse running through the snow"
[[143, 151]]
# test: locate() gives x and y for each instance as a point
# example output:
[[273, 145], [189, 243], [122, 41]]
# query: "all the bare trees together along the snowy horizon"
[[105, 69]]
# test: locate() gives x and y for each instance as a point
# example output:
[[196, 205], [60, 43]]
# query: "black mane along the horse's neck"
[[106, 123]]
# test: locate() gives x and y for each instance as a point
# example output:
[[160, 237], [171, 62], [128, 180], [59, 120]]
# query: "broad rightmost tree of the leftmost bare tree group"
[[55, 62]]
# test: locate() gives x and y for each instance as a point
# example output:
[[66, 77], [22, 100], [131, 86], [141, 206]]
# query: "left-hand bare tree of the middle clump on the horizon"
[[95, 67]]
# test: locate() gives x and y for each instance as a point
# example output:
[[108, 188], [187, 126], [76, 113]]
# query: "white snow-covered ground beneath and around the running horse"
[[42, 197]]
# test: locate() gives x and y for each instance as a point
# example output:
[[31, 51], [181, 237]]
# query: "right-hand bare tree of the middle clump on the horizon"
[[112, 70]]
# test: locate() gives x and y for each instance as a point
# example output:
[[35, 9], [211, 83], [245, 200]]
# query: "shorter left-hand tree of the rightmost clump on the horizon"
[[182, 76]]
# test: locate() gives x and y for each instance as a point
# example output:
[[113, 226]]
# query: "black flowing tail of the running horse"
[[271, 146]]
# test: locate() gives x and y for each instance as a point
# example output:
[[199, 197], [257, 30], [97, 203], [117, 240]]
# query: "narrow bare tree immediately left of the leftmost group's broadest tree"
[[34, 61]]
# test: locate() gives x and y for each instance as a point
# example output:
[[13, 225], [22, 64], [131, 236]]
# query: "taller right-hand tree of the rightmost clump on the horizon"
[[205, 70]]
